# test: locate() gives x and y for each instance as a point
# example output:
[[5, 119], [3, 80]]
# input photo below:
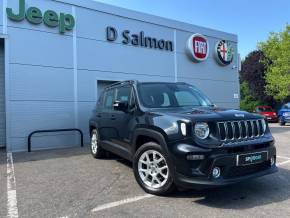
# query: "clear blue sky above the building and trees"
[[251, 20]]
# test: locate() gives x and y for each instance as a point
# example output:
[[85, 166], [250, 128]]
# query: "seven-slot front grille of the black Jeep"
[[240, 130]]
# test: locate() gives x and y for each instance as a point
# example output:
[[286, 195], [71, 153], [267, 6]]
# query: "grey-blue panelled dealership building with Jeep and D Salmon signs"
[[56, 56]]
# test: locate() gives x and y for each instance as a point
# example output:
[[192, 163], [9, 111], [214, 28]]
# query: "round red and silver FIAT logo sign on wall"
[[197, 47]]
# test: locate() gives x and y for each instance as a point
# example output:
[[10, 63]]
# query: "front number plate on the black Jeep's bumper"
[[253, 158]]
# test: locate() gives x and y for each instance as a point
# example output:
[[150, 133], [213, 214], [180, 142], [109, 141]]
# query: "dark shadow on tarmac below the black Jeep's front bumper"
[[248, 194]]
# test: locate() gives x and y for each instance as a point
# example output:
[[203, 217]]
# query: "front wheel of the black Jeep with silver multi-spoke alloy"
[[152, 171]]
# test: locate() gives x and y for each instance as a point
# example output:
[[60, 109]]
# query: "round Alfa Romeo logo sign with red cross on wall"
[[224, 52]]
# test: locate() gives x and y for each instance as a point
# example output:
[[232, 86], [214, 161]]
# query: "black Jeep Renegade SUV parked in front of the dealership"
[[175, 136]]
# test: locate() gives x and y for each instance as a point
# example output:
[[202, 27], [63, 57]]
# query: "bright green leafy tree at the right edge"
[[277, 59]]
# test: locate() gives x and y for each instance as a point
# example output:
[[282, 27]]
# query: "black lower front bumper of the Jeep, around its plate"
[[198, 173]]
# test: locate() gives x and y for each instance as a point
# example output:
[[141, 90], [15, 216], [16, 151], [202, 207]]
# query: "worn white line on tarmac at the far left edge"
[[12, 210]]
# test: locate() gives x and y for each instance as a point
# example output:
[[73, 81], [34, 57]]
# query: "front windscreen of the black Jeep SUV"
[[166, 95]]
